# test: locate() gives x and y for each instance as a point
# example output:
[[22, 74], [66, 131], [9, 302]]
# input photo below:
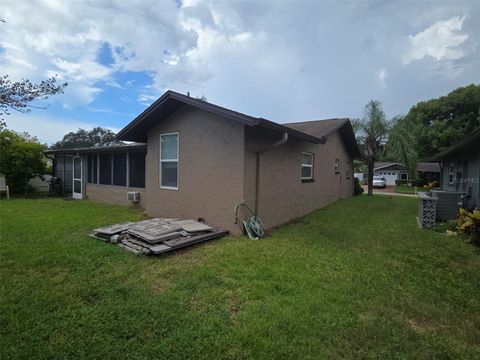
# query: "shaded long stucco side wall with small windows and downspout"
[[283, 196]]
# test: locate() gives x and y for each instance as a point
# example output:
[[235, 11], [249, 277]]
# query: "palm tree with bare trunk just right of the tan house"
[[371, 132]]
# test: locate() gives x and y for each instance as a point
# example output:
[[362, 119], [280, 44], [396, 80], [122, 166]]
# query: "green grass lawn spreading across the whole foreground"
[[354, 280]]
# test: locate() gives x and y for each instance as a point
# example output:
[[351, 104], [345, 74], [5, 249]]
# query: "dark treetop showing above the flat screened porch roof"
[[87, 138]]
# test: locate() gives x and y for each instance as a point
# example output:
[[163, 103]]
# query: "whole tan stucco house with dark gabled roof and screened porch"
[[194, 159]]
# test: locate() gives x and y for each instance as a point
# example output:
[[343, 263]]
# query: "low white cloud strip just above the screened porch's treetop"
[[48, 130]]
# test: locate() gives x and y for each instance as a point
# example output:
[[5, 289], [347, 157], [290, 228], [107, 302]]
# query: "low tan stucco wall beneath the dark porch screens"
[[114, 195]]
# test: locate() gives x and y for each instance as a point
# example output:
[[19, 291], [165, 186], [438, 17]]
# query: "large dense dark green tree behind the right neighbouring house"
[[442, 122]]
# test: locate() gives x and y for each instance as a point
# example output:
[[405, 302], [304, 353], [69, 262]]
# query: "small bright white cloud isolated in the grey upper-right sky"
[[441, 41]]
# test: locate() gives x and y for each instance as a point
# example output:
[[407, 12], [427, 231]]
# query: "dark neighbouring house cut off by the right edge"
[[460, 166]]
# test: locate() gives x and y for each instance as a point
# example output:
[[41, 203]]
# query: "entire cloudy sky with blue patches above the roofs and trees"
[[284, 61]]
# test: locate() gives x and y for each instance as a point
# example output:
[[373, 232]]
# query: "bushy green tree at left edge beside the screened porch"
[[21, 159]]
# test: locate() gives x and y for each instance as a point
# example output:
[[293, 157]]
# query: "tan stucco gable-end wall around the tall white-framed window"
[[211, 168]]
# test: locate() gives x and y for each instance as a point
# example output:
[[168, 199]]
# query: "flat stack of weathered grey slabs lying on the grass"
[[156, 236]]
